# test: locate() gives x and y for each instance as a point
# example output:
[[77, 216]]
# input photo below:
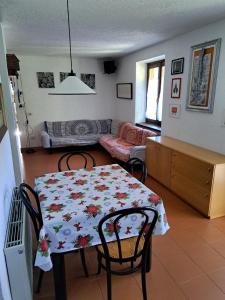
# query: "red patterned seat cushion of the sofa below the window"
[[116, 146]]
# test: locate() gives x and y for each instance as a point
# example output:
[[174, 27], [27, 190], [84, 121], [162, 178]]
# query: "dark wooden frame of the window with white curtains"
[[160, 64]]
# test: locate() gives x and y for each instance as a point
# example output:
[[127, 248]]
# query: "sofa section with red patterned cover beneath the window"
[[129, 142]]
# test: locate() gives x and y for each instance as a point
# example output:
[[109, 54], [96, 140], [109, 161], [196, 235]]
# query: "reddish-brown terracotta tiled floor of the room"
[[188, 261]]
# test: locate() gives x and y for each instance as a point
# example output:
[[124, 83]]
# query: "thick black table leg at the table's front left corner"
[[59, 276]]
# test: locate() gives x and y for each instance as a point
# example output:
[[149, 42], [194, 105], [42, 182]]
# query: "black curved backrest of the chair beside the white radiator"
[[25, 190]]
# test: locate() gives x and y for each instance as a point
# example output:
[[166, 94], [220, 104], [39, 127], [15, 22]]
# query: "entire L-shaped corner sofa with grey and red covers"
[[123, 140]]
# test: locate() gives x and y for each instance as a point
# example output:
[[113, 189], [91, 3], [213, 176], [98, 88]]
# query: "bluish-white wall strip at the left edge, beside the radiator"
[[7, 183]]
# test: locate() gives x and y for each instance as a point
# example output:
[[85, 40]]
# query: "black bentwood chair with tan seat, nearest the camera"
[[134, 250]]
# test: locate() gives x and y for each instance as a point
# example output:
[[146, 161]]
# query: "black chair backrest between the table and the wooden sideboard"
[[136, 166]]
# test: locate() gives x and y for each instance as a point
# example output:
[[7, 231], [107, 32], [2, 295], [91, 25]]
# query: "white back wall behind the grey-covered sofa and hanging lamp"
[[58, 108]]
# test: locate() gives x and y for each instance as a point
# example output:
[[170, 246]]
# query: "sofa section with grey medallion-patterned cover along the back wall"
[[74, 133]]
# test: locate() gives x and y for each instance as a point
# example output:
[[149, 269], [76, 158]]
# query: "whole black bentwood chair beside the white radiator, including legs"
[[35, 213]]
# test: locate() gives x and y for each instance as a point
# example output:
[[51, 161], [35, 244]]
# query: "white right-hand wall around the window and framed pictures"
[[201, 129]]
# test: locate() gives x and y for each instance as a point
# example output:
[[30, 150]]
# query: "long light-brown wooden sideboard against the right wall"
[[195, 174]]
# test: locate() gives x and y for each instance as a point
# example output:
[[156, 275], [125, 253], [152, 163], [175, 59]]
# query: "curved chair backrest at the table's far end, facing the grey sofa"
[[65, 158]]
